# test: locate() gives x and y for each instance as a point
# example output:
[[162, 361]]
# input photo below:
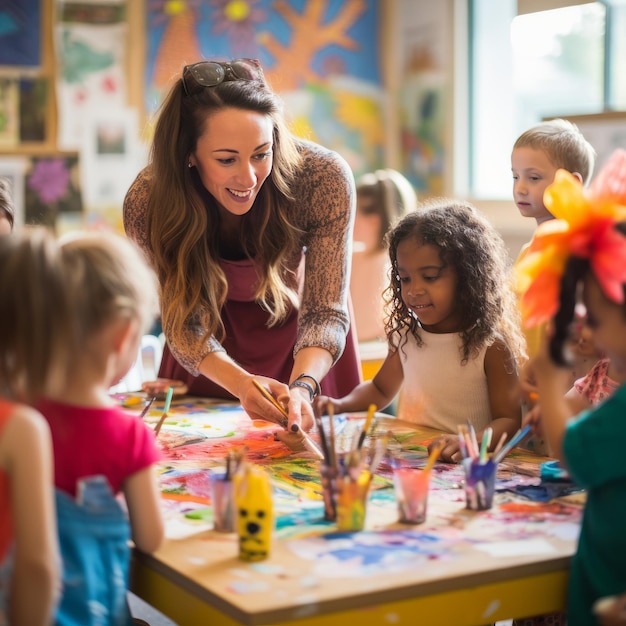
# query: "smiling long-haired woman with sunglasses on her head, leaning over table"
[[250, 232]]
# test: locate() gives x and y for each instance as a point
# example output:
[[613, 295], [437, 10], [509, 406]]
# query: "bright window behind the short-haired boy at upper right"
[[526, 66]]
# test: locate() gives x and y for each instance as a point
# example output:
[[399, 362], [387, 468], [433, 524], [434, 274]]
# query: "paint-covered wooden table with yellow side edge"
[[460, 568]]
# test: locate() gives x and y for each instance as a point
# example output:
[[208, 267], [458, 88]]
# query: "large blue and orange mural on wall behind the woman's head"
[[312, 53]]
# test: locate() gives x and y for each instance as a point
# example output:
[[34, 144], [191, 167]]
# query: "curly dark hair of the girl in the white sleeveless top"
[[471, 245]]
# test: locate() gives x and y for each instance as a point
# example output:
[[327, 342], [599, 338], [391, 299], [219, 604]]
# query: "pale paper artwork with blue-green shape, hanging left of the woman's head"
[[90, 41]]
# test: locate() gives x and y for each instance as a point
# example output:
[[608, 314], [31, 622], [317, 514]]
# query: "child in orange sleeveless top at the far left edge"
[[33, 344]]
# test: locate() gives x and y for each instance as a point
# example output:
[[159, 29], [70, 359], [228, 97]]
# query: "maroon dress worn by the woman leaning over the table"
[[257, 348]]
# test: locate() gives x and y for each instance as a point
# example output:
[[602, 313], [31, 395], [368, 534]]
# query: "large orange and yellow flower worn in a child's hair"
[[584, 226]]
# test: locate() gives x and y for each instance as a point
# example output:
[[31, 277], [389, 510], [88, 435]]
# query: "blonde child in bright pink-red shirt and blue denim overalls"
[[99, 450]]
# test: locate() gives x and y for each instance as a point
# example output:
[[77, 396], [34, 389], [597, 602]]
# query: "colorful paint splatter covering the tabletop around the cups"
[[198, 434]]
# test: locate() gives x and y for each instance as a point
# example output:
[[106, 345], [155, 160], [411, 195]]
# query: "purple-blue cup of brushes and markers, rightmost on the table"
[[480, 467]]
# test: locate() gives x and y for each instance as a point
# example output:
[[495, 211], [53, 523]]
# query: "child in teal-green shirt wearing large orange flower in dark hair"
[[590, 446]]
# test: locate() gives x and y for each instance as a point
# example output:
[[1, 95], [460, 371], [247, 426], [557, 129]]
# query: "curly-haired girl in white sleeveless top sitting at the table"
[[453, 331]]
